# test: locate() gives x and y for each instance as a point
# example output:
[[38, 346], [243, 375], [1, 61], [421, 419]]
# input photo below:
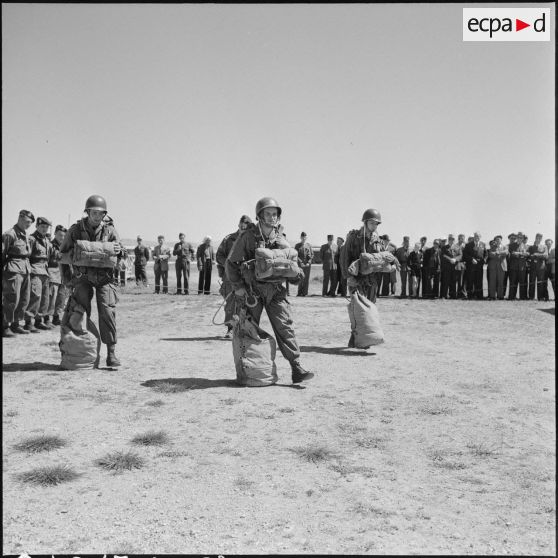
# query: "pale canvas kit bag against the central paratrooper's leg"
[[254, 353]]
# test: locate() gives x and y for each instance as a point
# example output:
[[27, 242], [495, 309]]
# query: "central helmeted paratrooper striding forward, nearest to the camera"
[[266, 233]]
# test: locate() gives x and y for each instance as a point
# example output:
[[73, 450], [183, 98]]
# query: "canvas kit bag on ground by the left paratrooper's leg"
[[80, 346]]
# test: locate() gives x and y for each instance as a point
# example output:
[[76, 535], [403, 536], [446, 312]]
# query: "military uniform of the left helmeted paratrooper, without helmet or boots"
[[87, 281]]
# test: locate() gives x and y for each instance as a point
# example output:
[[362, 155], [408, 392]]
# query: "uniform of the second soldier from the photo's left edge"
[[41, 253]]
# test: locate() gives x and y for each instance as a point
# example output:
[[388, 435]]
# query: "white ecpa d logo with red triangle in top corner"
[[506, 24]]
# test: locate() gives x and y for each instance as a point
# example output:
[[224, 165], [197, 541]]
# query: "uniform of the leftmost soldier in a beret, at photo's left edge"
[[15, 275]]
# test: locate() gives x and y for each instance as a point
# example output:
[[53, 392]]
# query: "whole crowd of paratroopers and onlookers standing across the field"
[[38, 286]]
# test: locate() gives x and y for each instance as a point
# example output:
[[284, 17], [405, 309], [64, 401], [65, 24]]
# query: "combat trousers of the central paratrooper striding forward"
[[273, 297]]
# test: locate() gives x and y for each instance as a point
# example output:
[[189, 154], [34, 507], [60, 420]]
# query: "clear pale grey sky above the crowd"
[[183, 116]]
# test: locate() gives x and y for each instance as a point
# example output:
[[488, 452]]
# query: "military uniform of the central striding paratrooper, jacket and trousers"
[[271, 296]]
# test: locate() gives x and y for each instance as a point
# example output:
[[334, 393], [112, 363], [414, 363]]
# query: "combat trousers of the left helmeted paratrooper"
[[105, 292]]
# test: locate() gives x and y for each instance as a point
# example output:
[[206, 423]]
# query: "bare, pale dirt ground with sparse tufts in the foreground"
[[440, 442]]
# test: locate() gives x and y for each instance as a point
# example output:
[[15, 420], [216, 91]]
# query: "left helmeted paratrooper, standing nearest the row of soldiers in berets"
[[85, 279]]
